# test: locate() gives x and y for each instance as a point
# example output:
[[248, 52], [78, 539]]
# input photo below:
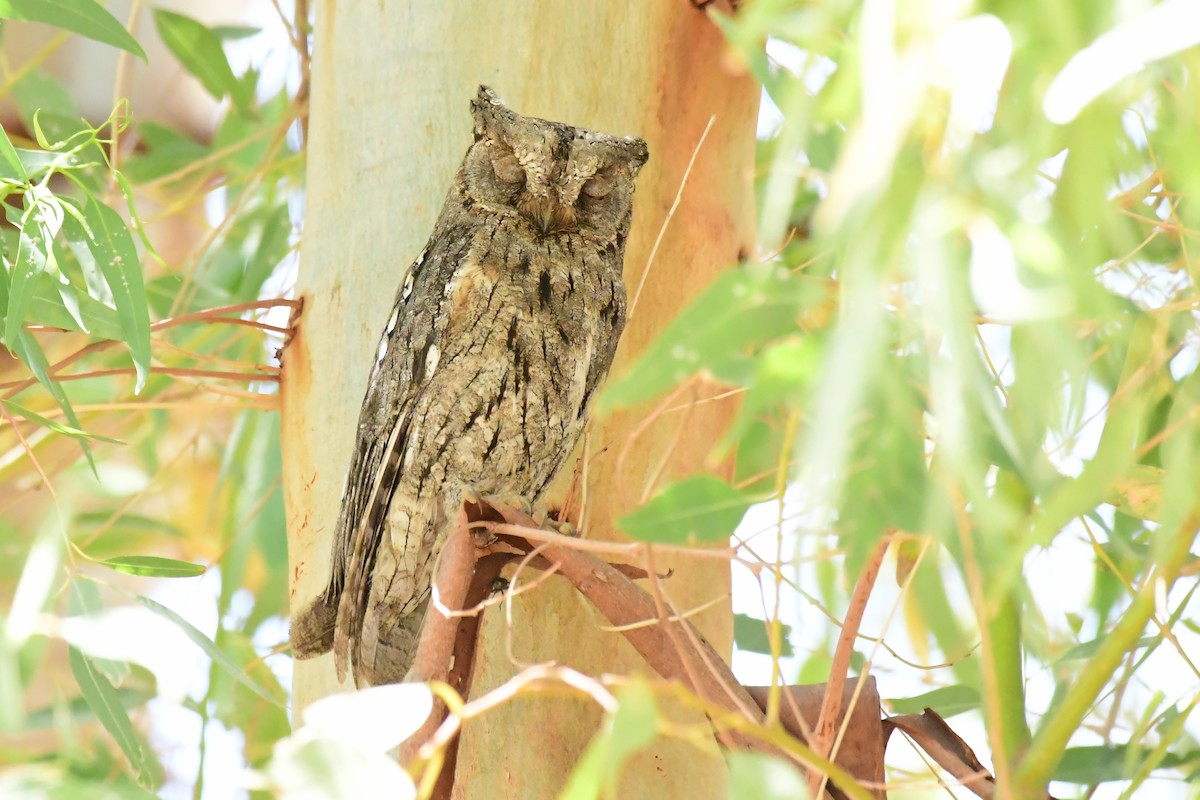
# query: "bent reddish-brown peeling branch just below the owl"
[[673, 647]]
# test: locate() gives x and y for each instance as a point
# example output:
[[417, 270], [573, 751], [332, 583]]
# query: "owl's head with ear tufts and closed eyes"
[[559, 178]]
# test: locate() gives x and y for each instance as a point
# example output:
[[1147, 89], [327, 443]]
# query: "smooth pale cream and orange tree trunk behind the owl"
[[389, 124]]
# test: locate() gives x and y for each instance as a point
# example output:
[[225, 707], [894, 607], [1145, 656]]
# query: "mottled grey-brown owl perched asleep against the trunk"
[[502, 332]]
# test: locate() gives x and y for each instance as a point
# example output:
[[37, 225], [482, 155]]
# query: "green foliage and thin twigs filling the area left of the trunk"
[[140, 437]]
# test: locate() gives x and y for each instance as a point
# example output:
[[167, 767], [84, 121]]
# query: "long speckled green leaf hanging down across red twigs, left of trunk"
[[112, 246]]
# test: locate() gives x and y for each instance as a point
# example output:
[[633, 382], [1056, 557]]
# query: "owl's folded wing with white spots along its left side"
[[418, 323]]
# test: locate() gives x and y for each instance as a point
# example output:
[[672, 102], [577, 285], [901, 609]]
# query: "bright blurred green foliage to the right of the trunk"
[[980, 338]]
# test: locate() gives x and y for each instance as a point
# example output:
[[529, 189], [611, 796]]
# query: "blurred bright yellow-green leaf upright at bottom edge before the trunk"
[[632, 729]]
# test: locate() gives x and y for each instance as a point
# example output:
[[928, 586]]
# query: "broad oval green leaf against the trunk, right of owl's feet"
[[698, 509]]
